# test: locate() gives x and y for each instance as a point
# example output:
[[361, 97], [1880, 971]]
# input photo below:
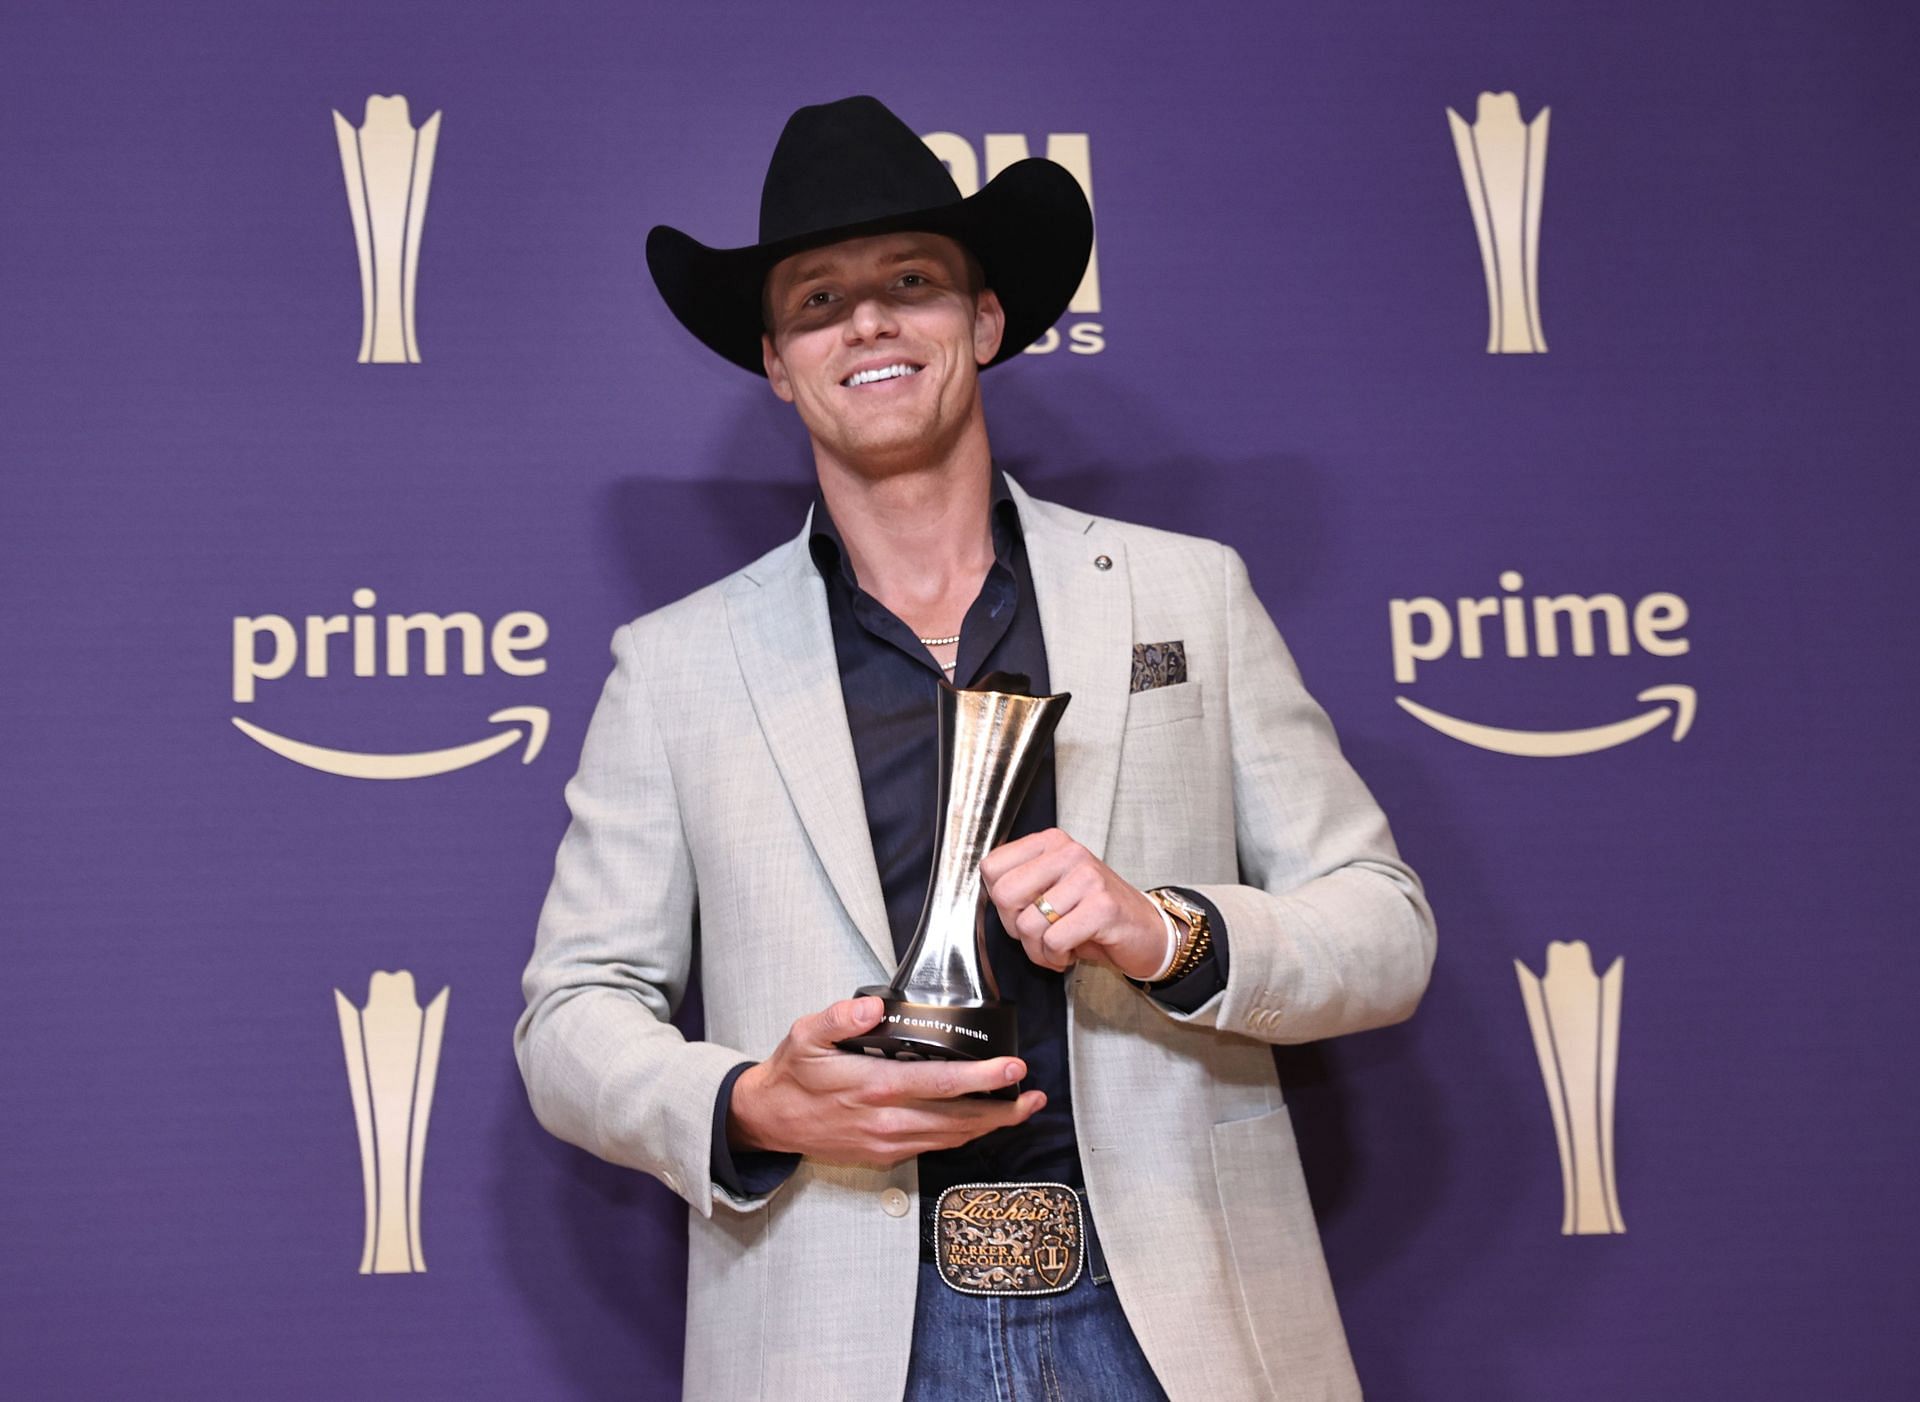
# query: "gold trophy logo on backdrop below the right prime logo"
[[1575, 1017]]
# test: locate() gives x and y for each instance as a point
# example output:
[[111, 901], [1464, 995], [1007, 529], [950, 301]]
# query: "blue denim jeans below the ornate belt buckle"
[[1024, 1349]]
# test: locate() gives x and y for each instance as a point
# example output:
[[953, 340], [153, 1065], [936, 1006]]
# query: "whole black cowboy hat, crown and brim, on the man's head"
[[848, 170]]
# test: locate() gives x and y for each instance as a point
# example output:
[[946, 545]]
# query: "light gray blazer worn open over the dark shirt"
[[719, 796]]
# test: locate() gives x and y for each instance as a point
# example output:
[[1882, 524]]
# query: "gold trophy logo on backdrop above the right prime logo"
[[1504, 164]]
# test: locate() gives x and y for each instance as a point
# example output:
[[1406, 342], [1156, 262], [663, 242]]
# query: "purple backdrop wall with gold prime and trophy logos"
[[1550, 366]]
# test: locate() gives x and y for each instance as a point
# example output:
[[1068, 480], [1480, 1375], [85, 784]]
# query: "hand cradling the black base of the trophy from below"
[[813, 1100]]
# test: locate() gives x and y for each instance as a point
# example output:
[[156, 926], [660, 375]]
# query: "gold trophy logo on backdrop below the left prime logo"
[[393, 1050]]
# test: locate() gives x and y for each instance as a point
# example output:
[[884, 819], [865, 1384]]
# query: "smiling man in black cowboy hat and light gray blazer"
[[1195, 875]]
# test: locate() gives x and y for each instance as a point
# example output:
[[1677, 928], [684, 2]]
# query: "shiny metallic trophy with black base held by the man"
[[944, 1002]]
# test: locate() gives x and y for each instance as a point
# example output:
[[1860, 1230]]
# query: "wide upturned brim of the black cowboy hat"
[[1030, 228]]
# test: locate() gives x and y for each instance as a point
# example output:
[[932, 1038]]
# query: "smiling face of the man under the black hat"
[[878, 343]]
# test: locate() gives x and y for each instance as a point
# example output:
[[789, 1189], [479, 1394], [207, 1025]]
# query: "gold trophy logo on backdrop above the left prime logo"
[[389, 166]]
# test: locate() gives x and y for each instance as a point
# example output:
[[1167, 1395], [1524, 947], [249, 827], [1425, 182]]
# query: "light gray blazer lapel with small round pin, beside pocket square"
[[1088, 621]]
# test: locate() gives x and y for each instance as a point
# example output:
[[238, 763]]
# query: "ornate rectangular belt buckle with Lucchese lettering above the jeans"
[[1009, 1238]]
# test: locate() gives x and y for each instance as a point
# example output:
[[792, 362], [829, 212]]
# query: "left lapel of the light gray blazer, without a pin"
[[786, 654]]
